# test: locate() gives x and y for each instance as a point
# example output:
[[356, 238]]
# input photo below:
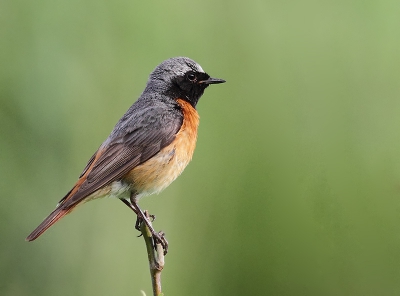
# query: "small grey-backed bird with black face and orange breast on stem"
[[148, 148]]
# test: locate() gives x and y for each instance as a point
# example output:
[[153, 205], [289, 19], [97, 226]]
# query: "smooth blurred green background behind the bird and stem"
[[294, 188]]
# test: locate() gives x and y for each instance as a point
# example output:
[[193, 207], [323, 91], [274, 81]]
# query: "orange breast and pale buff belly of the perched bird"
[[158, 172]]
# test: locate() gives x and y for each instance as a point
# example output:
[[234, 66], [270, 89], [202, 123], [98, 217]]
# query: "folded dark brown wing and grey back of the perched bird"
[[141, 133]]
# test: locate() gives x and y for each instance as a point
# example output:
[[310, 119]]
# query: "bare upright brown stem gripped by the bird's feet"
[[155, 256]]
